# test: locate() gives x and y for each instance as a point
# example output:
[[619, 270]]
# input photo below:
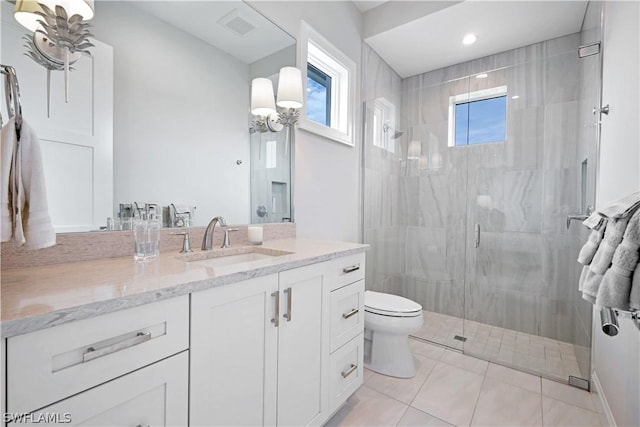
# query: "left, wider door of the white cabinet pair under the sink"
[[233, 354]]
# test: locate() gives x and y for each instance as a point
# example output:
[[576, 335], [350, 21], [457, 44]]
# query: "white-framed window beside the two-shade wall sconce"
[[329, 108]]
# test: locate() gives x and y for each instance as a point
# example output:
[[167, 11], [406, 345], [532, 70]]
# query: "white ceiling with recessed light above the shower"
[[430, 39]]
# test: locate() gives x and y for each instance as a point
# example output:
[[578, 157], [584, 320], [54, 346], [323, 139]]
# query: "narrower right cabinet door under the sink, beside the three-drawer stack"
[[301, 387]]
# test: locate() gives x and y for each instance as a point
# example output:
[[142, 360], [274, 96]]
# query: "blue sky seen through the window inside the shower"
[[481, 121]]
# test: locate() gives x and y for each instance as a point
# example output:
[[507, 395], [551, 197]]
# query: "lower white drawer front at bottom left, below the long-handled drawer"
[[155, 395]]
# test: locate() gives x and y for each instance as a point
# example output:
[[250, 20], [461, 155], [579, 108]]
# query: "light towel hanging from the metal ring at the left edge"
[[25, 214]]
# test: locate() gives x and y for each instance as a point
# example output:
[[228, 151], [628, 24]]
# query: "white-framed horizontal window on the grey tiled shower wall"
[[478, 117]]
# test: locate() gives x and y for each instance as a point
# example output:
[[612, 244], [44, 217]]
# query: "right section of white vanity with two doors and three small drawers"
[[260, 349]]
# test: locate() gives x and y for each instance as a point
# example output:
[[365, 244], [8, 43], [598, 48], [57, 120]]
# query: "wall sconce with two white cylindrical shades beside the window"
[[263, 104]]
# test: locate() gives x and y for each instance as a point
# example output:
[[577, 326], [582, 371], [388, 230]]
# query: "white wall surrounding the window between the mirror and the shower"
[[327, 178]]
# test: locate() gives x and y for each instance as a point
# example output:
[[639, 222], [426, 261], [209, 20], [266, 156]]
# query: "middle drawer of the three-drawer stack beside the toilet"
[[347, 313]]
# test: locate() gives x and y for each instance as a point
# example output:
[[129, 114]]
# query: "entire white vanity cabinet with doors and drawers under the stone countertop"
[[282, 349]]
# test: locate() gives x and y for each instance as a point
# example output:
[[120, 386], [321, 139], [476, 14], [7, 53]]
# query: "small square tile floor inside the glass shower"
[[533, 353]]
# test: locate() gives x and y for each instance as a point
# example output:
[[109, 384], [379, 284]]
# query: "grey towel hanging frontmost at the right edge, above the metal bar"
[[615, 288]]
